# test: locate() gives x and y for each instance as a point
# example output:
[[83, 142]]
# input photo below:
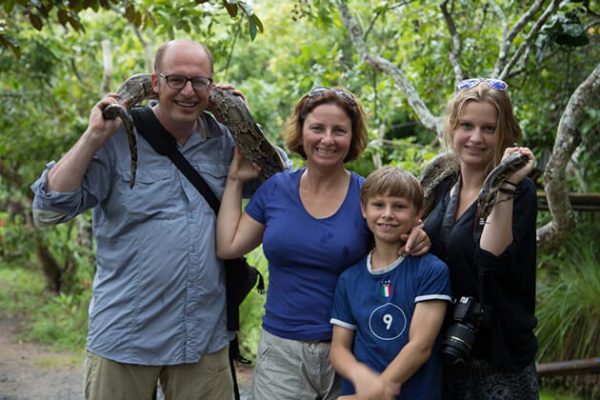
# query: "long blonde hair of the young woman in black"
[[507, 127]]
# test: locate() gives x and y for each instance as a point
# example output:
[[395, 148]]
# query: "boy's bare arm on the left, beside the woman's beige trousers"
[[367, 383]]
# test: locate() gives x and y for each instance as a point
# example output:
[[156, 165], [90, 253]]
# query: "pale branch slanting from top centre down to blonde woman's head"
[[414, 100]]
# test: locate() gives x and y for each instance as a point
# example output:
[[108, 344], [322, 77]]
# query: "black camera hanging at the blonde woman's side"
[[461, 334]]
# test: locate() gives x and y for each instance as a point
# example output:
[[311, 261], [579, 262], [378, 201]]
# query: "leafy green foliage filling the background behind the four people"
[[46, 95]]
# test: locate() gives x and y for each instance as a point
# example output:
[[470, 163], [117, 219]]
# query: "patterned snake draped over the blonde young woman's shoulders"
[[447, 165]]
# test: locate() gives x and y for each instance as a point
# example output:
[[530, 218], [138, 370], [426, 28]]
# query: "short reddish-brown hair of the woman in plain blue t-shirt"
[[338, 96]]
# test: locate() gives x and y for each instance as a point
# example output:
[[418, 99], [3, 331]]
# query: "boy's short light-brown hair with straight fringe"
[[392, 181]]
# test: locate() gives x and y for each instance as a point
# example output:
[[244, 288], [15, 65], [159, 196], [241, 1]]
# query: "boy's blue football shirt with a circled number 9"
[[379, 306]]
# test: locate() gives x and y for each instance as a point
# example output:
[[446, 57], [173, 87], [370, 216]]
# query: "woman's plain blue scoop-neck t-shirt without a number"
[[306, 255]]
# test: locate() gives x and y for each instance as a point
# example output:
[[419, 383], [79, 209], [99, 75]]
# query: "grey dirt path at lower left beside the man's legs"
[[29, 371]]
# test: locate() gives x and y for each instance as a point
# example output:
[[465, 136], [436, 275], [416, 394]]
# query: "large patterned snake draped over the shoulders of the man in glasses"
[[227, 108]]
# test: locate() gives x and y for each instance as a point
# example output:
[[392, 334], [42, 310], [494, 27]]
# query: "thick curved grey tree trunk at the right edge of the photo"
[[567, 140]]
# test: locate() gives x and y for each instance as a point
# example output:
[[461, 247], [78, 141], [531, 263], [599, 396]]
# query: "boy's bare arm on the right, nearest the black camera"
[[424, 328]]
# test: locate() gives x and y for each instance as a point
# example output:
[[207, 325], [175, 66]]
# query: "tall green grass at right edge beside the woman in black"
[[568, 309]]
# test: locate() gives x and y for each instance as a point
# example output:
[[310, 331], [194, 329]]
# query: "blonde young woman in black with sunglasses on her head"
[[491, 262]]
